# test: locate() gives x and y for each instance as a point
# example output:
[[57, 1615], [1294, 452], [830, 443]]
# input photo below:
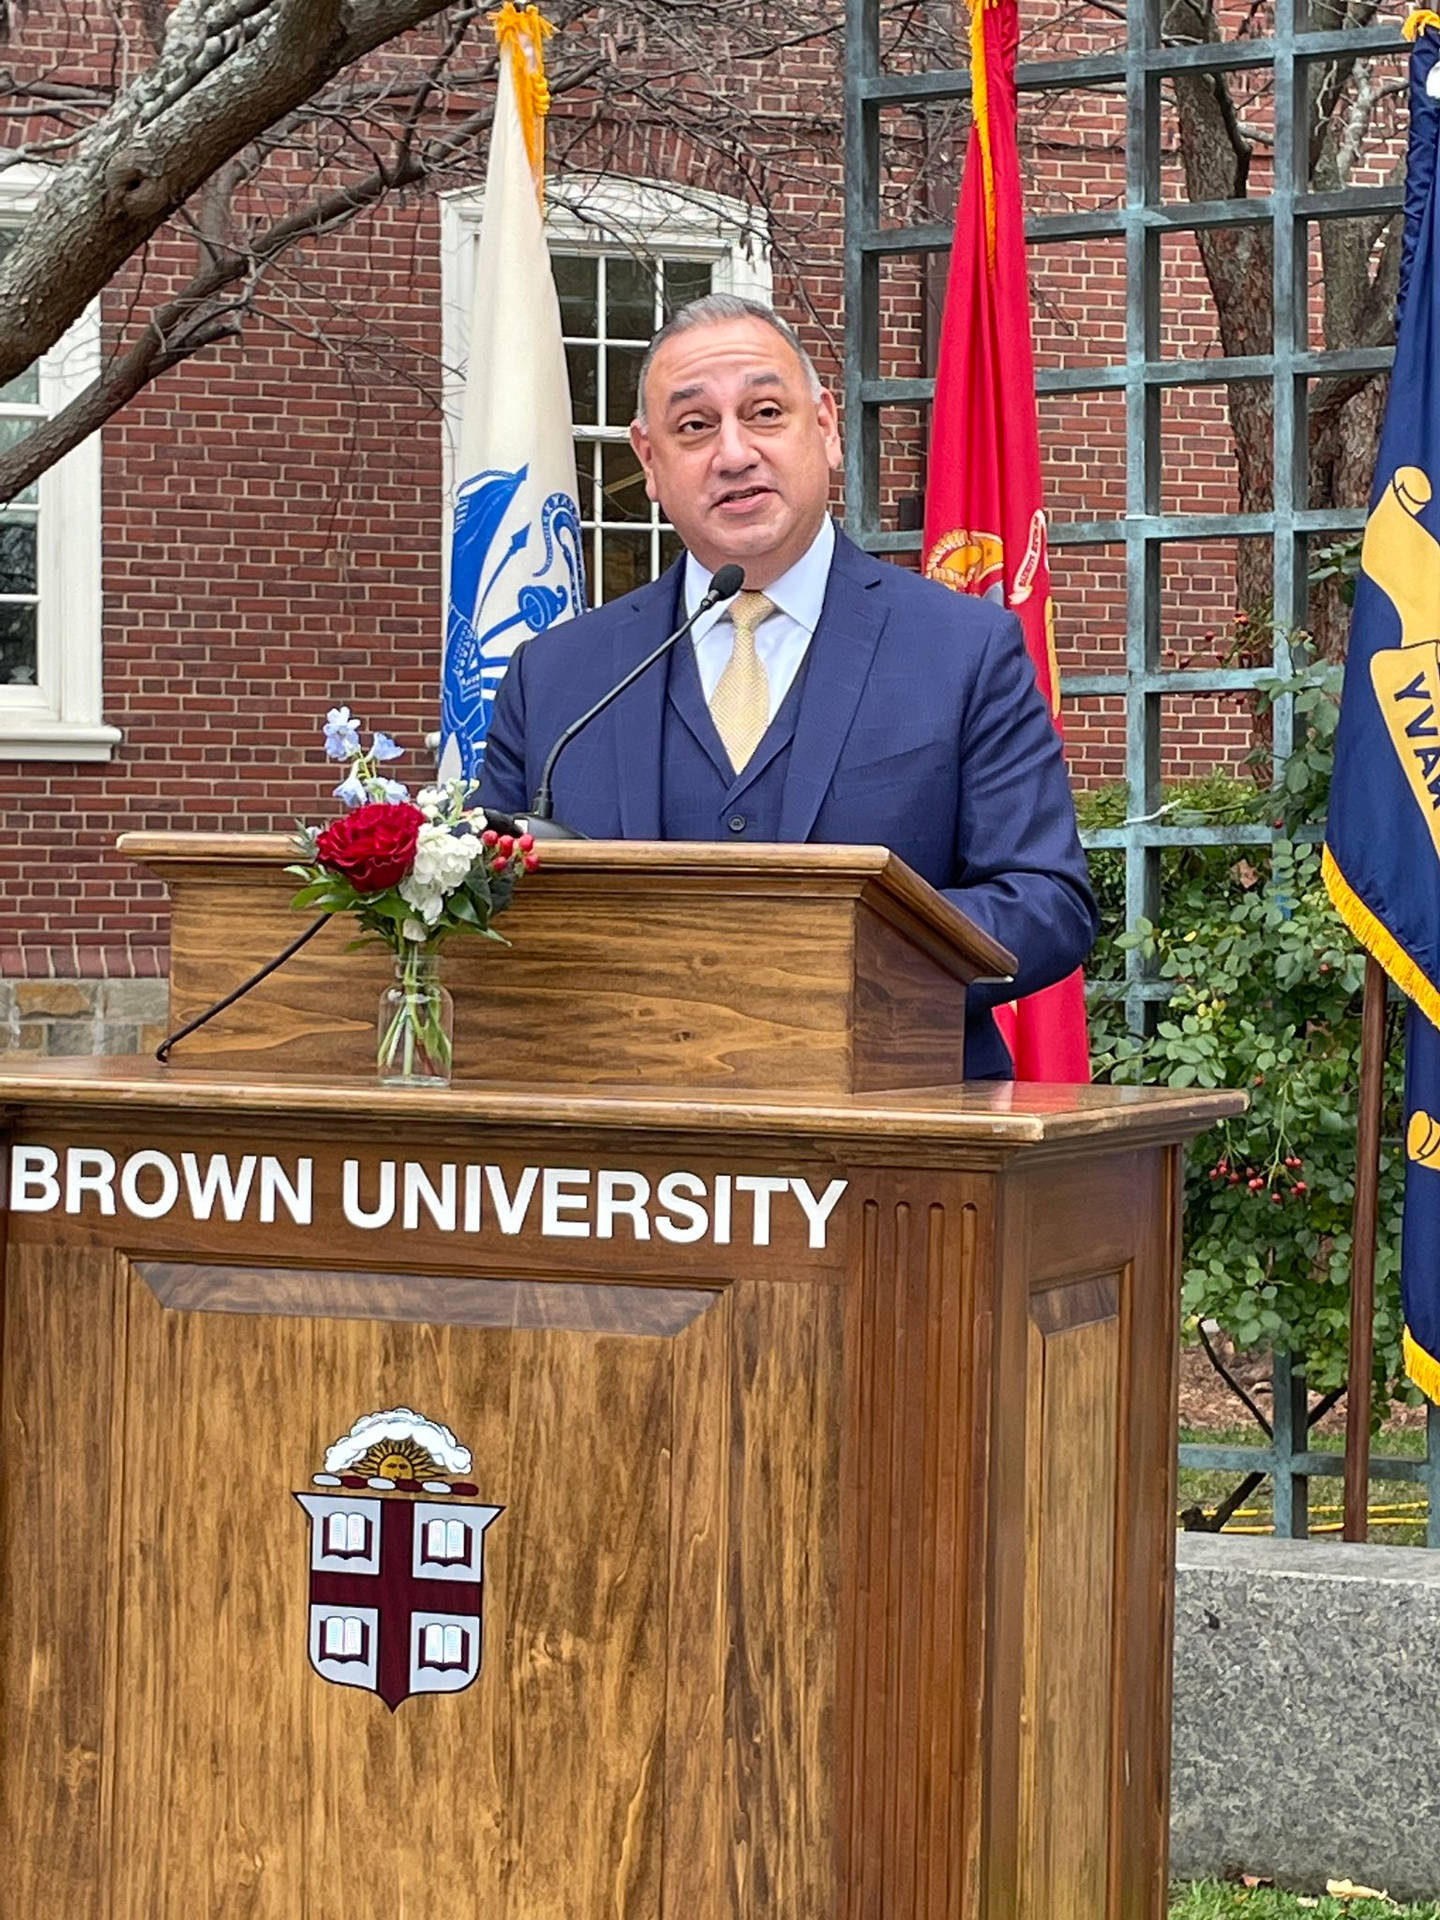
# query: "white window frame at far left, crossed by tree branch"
[[62, 717]]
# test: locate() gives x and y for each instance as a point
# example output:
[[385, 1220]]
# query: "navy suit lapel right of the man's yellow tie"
[[842, 652]]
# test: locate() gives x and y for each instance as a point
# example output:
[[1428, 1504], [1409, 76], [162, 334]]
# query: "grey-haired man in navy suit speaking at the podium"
[[834, 698]]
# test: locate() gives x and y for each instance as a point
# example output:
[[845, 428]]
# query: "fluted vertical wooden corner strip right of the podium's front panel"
[[911, 1650]]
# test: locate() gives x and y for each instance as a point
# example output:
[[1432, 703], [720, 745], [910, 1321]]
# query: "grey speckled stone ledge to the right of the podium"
[[1308, 1714]]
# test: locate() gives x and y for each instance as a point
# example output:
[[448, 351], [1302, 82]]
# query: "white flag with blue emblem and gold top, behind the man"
[[516, 560]]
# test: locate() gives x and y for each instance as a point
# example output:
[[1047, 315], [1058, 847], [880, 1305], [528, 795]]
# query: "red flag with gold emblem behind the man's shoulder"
[[984, 517]]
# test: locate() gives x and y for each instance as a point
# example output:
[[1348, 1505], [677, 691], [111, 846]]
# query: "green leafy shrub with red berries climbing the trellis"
[[1266, 997]]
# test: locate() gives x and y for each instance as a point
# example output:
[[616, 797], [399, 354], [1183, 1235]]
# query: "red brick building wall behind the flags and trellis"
[[274, 521]]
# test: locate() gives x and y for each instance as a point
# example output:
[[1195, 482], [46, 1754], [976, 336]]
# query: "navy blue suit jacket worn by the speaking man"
[[921, 731]]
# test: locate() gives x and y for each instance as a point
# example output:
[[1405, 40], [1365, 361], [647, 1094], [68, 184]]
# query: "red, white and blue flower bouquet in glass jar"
[[412, 873]]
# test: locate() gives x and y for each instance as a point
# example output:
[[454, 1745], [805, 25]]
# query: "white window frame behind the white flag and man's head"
[[598, 214]]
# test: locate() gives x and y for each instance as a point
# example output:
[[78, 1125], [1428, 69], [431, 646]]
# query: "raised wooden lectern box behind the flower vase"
[[704, 967]]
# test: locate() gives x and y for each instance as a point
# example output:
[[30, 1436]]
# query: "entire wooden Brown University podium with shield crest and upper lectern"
[[692, 1470]]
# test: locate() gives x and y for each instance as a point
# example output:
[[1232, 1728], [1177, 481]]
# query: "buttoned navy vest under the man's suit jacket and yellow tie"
[[702, 796]]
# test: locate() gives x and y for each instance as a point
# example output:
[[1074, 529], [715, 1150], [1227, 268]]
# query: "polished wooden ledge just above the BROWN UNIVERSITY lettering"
[[1001, 1115]]
